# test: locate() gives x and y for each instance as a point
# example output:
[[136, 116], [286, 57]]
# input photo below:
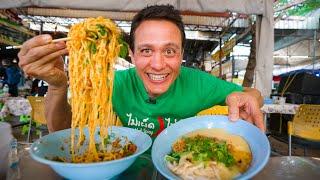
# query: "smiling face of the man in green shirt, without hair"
[[157, 55]]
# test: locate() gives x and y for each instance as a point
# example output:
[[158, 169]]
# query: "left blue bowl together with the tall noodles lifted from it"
[[93, 148]]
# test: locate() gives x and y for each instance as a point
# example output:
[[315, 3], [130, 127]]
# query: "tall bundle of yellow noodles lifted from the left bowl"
[[93, 48]]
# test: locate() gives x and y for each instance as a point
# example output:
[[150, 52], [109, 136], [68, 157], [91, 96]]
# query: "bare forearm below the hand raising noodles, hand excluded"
[[57, 109]]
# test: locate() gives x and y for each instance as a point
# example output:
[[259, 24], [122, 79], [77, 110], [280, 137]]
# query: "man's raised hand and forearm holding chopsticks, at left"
[[42, 59]]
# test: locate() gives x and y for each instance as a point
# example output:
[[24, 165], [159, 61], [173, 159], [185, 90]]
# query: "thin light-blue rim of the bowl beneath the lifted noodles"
[[103, 163]]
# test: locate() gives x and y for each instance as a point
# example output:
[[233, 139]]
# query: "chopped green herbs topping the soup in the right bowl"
[[203, 149]]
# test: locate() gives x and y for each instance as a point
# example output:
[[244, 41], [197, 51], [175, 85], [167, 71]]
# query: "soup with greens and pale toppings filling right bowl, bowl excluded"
[[209, 154]]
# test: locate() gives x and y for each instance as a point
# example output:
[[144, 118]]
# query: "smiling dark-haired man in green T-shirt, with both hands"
[[154, 94]]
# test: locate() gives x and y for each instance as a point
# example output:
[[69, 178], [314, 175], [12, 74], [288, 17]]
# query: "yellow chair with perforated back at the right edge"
[[305, 124]]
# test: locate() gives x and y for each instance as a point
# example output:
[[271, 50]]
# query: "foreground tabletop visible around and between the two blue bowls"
[[278, 167]]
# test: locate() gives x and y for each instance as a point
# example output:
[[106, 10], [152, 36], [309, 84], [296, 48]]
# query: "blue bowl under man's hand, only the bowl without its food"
[[256, 139]]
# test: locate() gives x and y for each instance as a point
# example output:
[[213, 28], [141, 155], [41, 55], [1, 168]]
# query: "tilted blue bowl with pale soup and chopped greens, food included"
[[210, 147]]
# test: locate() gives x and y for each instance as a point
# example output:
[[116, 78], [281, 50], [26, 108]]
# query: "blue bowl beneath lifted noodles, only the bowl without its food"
[[57, 144]]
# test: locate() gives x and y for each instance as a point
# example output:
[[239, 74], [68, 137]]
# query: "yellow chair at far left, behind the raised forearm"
[[37, 113]]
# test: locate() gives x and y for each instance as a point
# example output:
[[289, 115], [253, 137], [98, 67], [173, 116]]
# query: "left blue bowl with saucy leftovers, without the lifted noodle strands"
[[124, 145]]
